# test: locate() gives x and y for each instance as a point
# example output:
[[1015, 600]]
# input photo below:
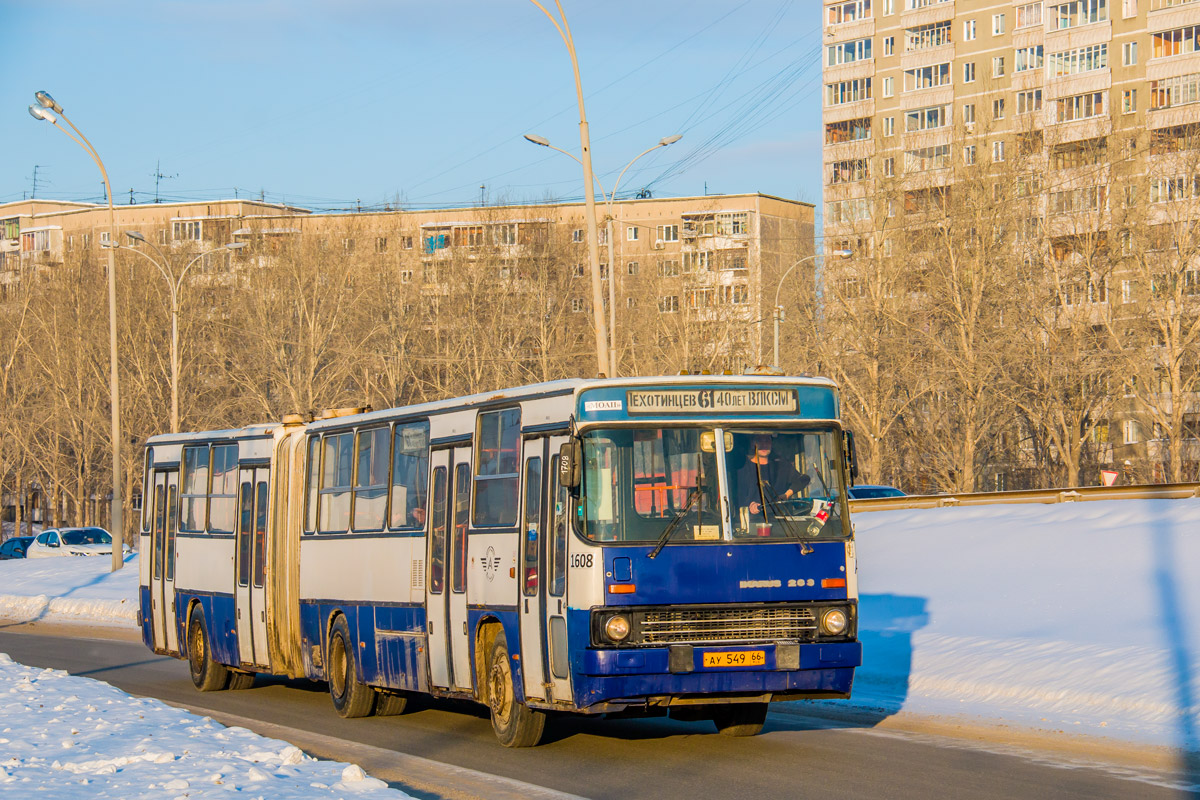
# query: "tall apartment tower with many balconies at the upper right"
[[1100, 100]]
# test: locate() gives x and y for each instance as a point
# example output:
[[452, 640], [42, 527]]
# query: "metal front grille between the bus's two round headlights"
[[733, 624]]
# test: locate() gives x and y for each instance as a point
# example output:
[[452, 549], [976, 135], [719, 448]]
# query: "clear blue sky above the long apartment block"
[[332, 104]]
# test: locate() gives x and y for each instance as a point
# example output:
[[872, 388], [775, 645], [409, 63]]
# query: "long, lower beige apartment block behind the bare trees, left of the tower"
[[700, 258]]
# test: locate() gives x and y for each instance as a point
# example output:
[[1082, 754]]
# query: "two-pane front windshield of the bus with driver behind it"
[[778, 485]]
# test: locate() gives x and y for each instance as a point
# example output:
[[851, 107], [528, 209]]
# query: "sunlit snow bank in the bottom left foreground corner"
[[80, 738]]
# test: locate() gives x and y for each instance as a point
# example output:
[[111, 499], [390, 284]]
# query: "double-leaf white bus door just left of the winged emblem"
[[446, 587]]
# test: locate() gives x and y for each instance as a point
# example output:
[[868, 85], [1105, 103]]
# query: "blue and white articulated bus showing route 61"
[[650, 546]]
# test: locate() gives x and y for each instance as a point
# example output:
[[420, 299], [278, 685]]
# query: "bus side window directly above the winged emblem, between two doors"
[[497, 461]]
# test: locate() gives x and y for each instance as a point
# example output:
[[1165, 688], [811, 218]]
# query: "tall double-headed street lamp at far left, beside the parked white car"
[[49, 111]]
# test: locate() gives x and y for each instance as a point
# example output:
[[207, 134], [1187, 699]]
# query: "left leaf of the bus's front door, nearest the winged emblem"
[[532, 600]]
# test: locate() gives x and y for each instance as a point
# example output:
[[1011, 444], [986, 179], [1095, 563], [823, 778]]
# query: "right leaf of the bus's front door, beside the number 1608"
[[557, 516]]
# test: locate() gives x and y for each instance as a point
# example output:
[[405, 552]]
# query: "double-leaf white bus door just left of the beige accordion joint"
[[250, 567]]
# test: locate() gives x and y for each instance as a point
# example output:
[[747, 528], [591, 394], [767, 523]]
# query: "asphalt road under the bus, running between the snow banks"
[[795, 757]]
